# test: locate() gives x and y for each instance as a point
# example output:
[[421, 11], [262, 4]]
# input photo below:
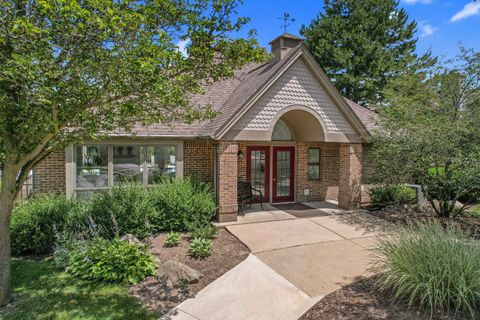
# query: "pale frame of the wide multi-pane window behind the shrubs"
[[110, 169]]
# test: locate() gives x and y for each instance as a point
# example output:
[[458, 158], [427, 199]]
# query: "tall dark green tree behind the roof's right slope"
[[362, 44]]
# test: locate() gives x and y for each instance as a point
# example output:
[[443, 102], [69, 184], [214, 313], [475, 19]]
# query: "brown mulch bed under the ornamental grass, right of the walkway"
[[359, 301]]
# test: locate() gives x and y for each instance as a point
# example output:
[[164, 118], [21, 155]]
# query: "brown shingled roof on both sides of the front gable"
[[227, 97]]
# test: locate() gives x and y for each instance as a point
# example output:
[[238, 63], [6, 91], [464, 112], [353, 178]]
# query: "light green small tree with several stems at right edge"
[[429, 133]]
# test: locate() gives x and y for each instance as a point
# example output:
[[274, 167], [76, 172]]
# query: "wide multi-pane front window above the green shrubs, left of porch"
[[101, 166]]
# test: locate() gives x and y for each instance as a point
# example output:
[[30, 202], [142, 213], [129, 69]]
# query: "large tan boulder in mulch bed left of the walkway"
[[173, 272]]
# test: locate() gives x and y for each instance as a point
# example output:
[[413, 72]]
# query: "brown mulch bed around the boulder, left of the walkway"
[[227, 252]]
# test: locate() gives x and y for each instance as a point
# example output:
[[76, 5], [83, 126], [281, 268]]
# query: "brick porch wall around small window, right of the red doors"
[[327, 187]]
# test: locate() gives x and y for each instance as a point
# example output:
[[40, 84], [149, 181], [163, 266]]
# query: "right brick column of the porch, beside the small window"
[[350, 176]]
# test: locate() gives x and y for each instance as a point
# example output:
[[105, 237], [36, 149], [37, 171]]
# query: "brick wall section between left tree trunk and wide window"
[[49, 175]]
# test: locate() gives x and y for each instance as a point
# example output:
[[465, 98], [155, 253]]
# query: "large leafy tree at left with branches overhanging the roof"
[[71, 70]]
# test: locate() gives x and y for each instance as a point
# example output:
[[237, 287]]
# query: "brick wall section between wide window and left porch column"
[[198, 160]]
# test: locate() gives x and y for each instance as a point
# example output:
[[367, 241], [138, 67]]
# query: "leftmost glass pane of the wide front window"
[[92, 166]]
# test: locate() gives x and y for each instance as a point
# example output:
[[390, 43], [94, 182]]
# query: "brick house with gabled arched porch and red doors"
[[280, 125]]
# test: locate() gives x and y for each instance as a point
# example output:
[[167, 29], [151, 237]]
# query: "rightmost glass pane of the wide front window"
[[161, 162]]
